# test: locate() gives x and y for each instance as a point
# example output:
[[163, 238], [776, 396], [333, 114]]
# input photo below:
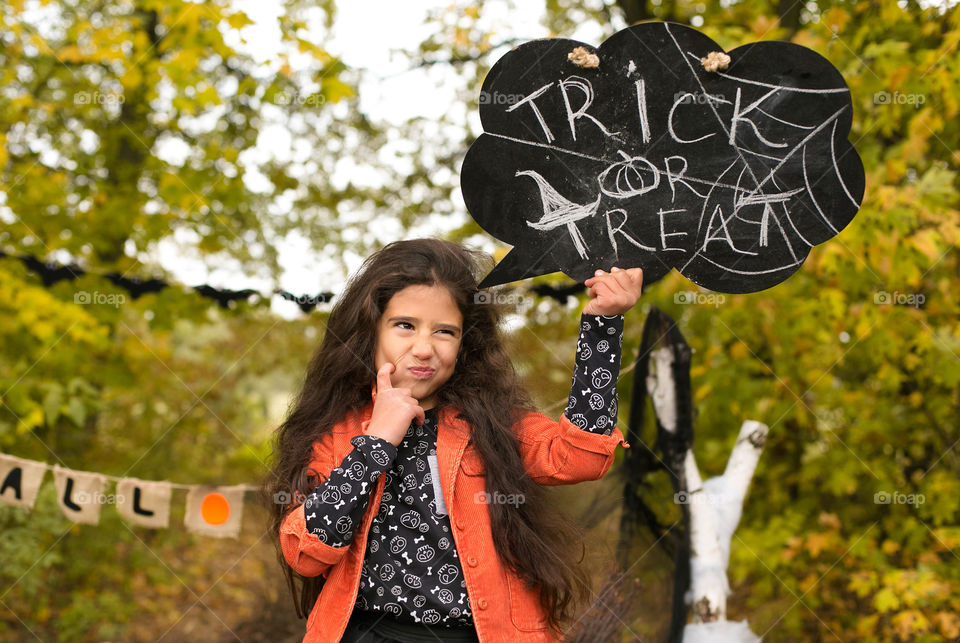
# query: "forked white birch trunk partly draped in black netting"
[[711, 509]]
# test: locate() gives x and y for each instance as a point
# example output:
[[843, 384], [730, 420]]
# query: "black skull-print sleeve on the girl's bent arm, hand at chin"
[[334, 509]]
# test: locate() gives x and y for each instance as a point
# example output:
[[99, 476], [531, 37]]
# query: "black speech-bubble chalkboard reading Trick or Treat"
[[649, 156]]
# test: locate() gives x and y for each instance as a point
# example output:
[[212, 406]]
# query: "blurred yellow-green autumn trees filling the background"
[[853, 362]]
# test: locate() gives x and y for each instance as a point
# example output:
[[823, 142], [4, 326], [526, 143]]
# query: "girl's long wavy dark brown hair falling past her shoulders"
[[532, 538]]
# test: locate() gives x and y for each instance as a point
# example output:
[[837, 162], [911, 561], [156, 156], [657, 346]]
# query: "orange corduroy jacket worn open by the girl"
[[504, 609]]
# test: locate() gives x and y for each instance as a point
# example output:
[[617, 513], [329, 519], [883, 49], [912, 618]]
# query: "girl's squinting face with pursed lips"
[[420, 333]]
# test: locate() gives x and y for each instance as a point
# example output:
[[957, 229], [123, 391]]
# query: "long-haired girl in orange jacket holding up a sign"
[[406, 482]]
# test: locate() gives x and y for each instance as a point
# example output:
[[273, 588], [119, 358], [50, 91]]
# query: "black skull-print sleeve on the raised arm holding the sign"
[[593, 392]]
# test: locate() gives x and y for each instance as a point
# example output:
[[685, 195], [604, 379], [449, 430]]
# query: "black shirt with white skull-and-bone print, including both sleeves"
[[410, 568]]
